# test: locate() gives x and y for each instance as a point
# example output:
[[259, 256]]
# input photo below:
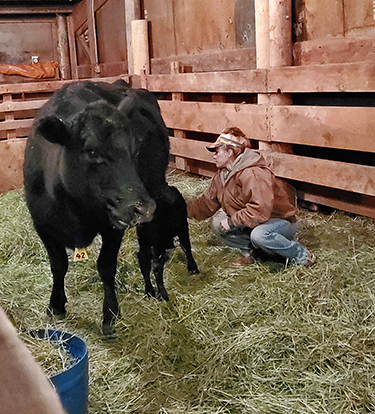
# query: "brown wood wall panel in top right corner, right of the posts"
[[330, 31]]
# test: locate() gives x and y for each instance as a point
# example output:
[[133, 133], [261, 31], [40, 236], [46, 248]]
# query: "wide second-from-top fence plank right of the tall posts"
[[350, 128]]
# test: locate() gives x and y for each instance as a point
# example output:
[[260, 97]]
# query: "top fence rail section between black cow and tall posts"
[[246, 81]]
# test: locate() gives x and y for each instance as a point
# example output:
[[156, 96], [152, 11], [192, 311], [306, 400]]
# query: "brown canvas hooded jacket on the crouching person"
[[250, 194]]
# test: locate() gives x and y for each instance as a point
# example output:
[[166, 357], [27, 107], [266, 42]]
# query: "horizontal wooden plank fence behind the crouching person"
[[342, 179]]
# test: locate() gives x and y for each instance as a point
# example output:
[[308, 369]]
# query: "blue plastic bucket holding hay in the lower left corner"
[[72, 384]]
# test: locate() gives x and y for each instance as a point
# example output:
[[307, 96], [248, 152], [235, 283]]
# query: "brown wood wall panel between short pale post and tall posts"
[[203, 35]]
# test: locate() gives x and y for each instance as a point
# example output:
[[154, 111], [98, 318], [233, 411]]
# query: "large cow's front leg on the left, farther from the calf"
[[59, 266]]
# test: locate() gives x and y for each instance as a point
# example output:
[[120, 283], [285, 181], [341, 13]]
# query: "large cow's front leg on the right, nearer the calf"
[[107, 265]]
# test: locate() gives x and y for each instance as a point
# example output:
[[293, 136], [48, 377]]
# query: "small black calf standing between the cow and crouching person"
[[157, 236]]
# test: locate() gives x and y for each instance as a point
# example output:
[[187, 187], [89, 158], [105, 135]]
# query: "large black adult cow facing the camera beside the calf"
[[94, 163]]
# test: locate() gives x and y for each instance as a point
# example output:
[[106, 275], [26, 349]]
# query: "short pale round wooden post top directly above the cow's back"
[[141, 58]]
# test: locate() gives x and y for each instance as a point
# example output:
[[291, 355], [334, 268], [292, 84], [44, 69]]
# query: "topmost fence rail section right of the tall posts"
[[348, 77]]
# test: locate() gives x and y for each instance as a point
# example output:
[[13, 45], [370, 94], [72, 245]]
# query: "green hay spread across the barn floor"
[[261, 339]]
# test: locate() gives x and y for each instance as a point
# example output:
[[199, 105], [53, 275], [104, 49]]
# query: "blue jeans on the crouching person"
[[275, 236]]
